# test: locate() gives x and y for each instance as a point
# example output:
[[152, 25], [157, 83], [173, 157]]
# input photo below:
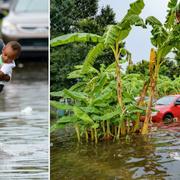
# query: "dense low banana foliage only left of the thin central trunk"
[[91, 103]]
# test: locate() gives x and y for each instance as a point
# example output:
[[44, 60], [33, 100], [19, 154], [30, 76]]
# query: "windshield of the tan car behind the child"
[[31, 6]]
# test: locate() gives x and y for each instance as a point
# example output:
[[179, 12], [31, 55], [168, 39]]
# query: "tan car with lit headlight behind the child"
[[27, 23]]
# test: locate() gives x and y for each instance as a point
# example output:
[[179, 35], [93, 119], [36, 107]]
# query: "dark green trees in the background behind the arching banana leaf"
[[67, 17]]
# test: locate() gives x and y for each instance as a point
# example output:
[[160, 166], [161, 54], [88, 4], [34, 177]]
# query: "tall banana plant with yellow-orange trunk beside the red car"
[[165, 37]]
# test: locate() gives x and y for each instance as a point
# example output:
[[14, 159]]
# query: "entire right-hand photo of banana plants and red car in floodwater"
[[114, 89]]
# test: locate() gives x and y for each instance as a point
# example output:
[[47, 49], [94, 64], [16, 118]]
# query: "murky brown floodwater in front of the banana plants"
[[156, 156]]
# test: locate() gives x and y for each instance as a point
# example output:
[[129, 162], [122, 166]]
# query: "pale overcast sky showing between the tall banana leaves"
[[138, 41]]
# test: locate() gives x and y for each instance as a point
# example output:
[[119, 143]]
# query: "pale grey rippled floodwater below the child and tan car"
[[24, 124]]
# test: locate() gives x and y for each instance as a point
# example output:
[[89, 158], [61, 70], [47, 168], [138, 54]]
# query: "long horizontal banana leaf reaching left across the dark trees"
[[75, 37]]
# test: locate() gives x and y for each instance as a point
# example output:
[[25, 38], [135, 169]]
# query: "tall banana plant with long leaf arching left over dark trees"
[[112, 39]]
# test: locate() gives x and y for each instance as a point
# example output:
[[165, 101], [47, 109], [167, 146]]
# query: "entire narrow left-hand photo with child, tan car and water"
[[24, 31]]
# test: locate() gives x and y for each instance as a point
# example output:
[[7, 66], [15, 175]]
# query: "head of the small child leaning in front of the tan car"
[[11, 51]]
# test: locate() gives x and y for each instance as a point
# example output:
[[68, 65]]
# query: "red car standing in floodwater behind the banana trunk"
[[167, 107]]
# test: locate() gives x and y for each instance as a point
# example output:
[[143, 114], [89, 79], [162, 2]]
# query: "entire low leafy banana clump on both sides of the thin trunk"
[[95, 112]]
